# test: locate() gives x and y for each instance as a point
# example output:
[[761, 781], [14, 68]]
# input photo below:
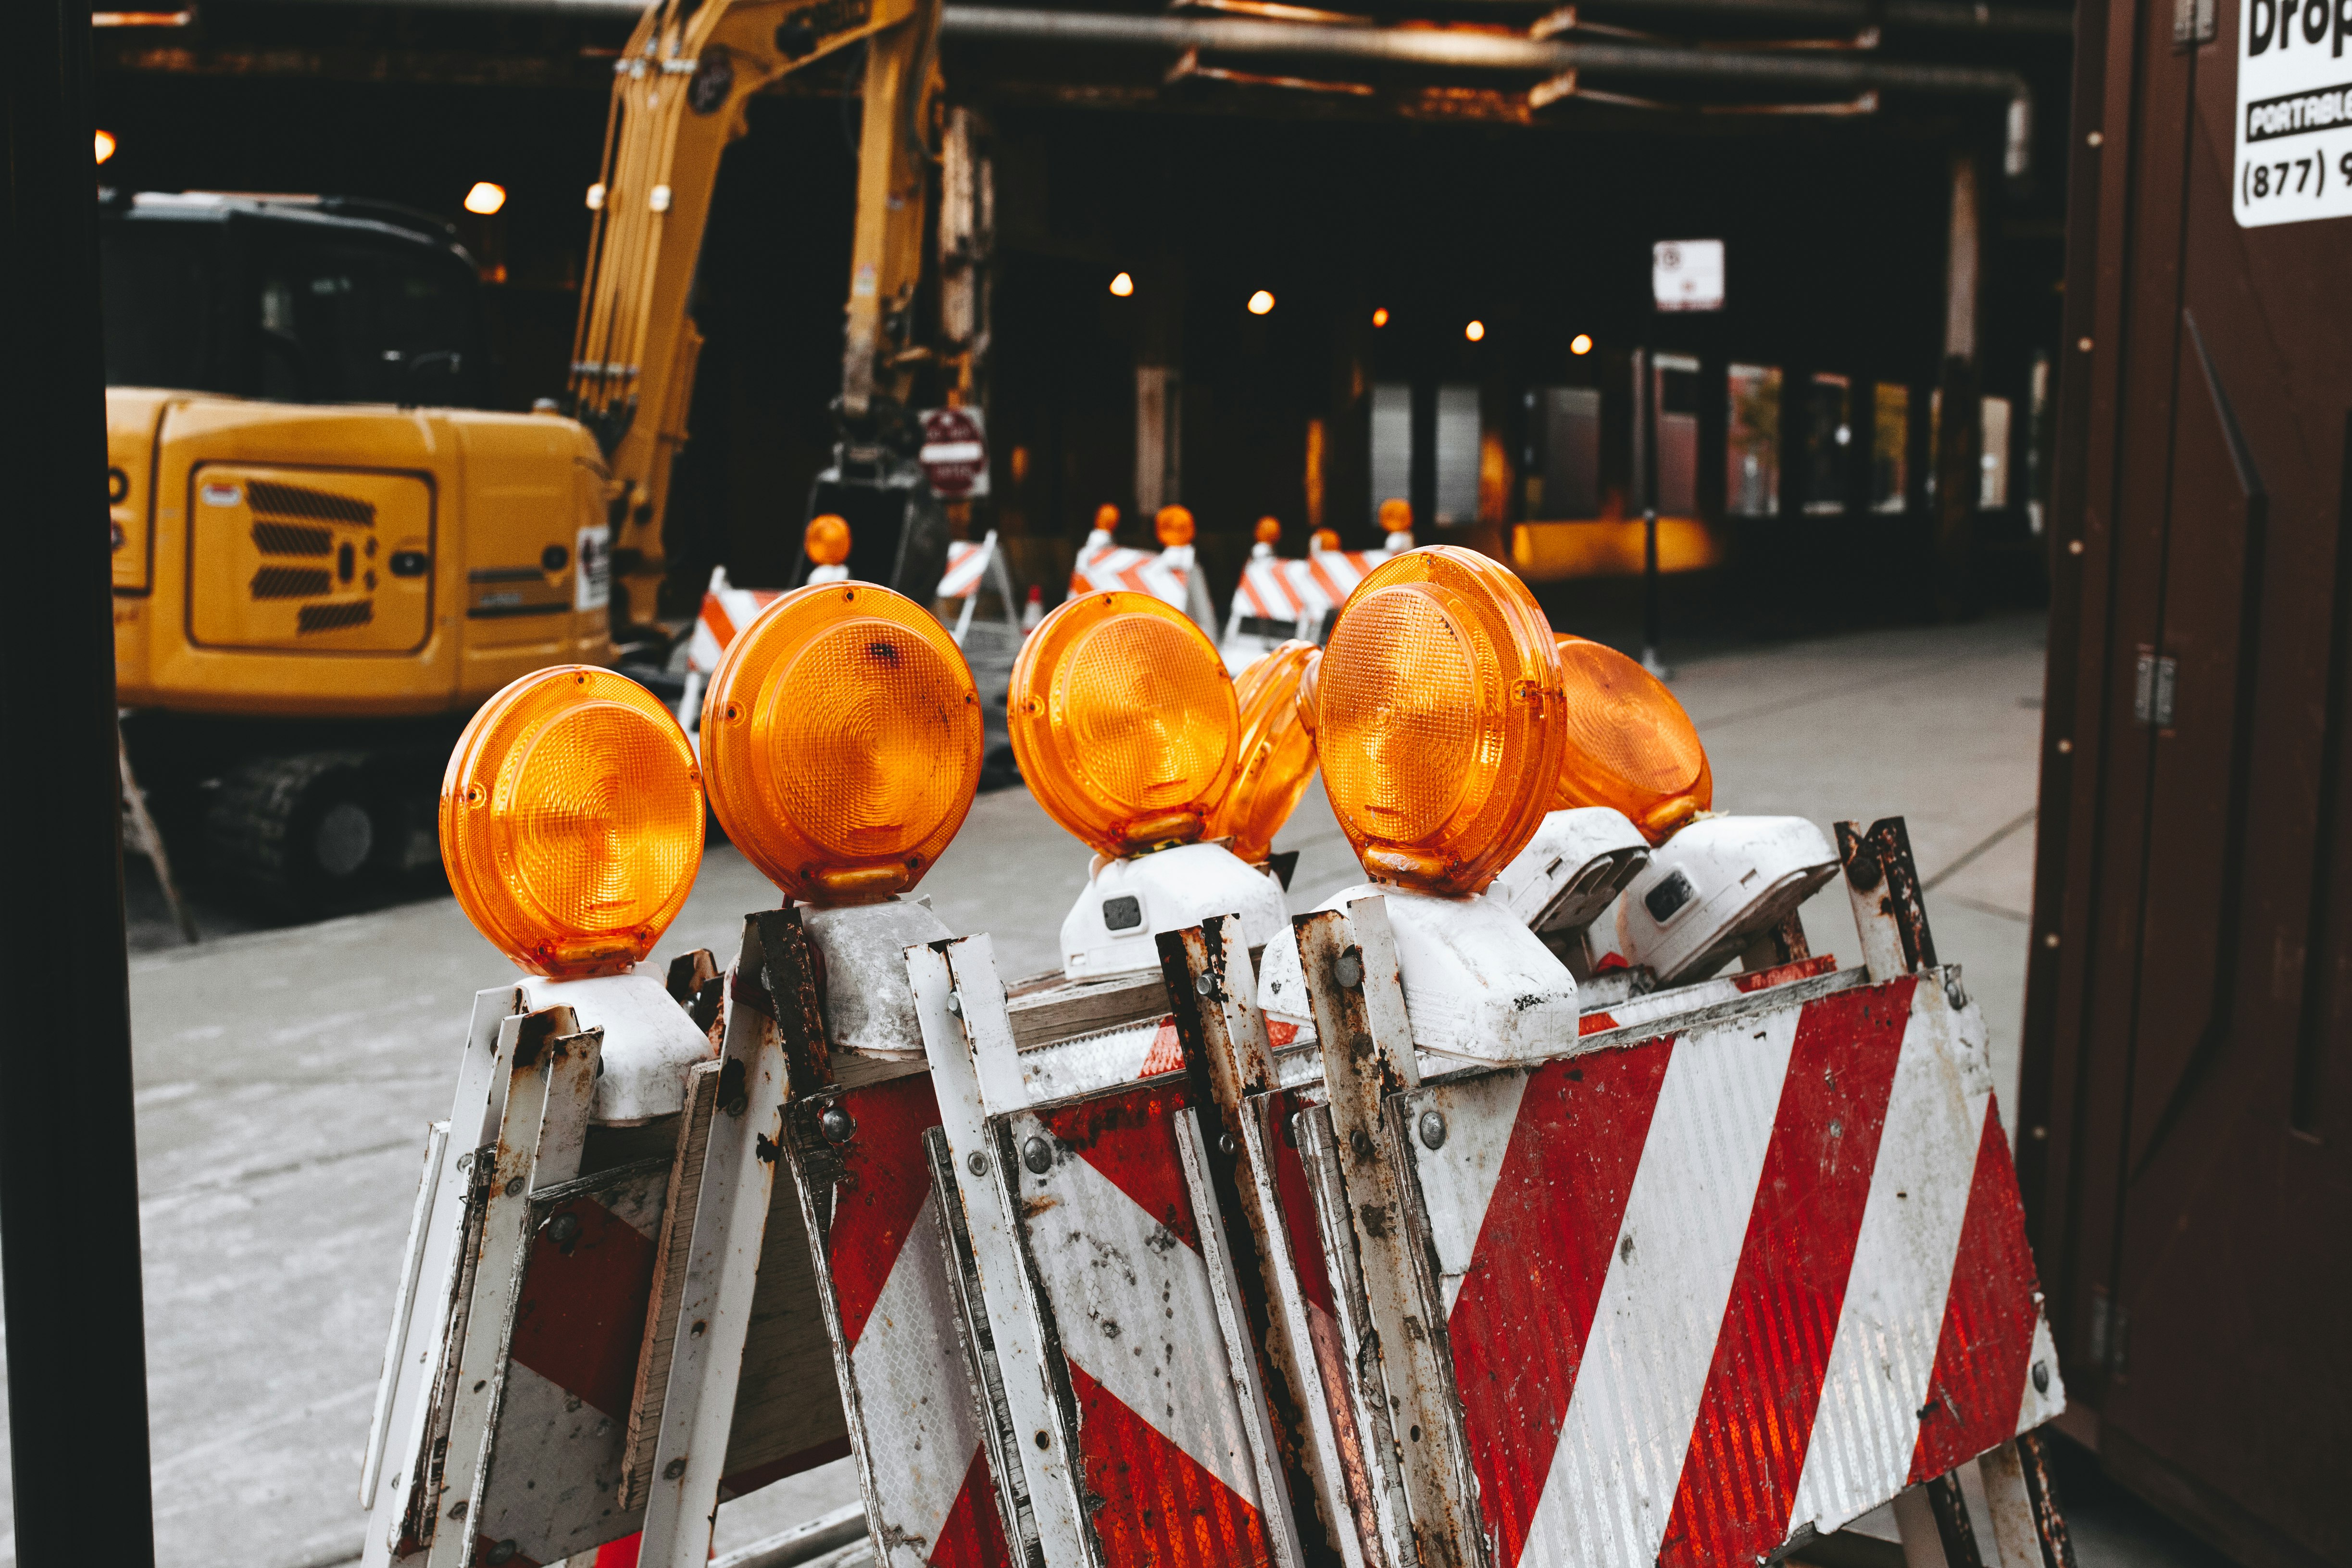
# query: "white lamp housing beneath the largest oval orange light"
[[1476, 979]]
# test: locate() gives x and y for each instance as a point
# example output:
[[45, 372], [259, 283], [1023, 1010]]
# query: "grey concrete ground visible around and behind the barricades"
[[286, 1078]]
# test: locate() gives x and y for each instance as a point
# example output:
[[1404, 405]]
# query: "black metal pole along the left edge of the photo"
[[69, 1174]]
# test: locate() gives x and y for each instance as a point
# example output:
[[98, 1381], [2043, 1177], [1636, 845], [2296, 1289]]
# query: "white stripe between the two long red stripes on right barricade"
[[1645, 1369]]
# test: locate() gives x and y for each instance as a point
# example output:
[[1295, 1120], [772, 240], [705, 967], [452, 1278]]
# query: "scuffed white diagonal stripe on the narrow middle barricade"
[[1135, 1311]]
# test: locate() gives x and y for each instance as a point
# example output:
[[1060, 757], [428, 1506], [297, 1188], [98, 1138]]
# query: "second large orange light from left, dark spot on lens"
[[843, 742]]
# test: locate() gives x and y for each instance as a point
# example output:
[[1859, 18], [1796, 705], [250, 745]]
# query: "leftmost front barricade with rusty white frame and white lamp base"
[[587, 1341]]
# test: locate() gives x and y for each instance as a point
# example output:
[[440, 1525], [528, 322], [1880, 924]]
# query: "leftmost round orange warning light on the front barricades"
[[573, 822]]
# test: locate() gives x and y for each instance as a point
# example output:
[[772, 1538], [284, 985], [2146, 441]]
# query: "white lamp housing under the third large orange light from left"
[[1130, 902]]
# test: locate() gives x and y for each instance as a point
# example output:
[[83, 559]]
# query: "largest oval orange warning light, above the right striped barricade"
[[1438, 721]]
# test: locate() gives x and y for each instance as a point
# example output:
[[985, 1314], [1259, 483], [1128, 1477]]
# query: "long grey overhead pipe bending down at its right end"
[[1504, 53]]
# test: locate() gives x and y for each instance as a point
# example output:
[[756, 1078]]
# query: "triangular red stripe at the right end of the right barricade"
[[1989, 1320]]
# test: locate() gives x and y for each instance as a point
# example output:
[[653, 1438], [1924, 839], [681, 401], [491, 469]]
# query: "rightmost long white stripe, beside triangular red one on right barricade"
[[1892, 1320]]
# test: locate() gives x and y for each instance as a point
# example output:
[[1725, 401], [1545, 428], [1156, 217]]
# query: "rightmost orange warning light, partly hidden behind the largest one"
[[1629, 744]]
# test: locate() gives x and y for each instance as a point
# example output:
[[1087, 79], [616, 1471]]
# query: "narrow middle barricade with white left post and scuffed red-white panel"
[[1130, 1369]]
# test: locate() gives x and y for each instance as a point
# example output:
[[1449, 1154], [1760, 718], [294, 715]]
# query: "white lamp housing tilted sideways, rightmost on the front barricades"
[[1709, 892]]
